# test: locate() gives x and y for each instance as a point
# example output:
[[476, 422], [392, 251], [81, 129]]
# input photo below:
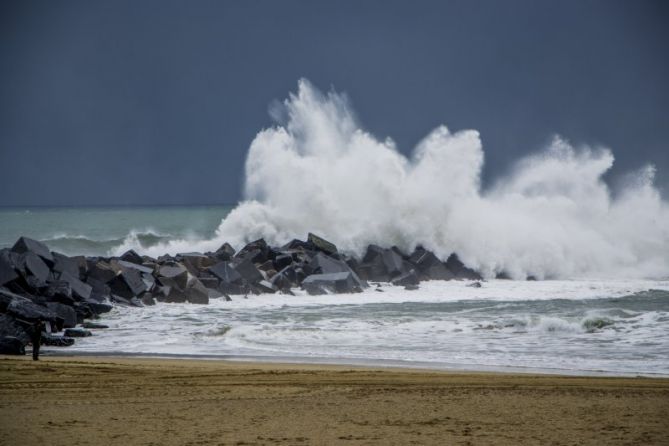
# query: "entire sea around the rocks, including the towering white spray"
[[600, 255]]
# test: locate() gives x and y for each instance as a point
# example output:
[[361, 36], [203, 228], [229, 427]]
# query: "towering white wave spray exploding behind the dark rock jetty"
[[553, 216]]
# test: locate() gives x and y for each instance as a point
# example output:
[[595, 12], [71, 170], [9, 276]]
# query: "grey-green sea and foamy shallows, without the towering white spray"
[[582, 326]]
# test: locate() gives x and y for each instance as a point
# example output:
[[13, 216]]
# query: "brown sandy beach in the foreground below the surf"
[[136, 401]]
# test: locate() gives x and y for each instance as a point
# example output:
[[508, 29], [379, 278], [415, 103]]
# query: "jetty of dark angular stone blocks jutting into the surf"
[[61, 294]]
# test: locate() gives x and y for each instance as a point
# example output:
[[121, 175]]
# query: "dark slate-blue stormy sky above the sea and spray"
[[156, 102]]
